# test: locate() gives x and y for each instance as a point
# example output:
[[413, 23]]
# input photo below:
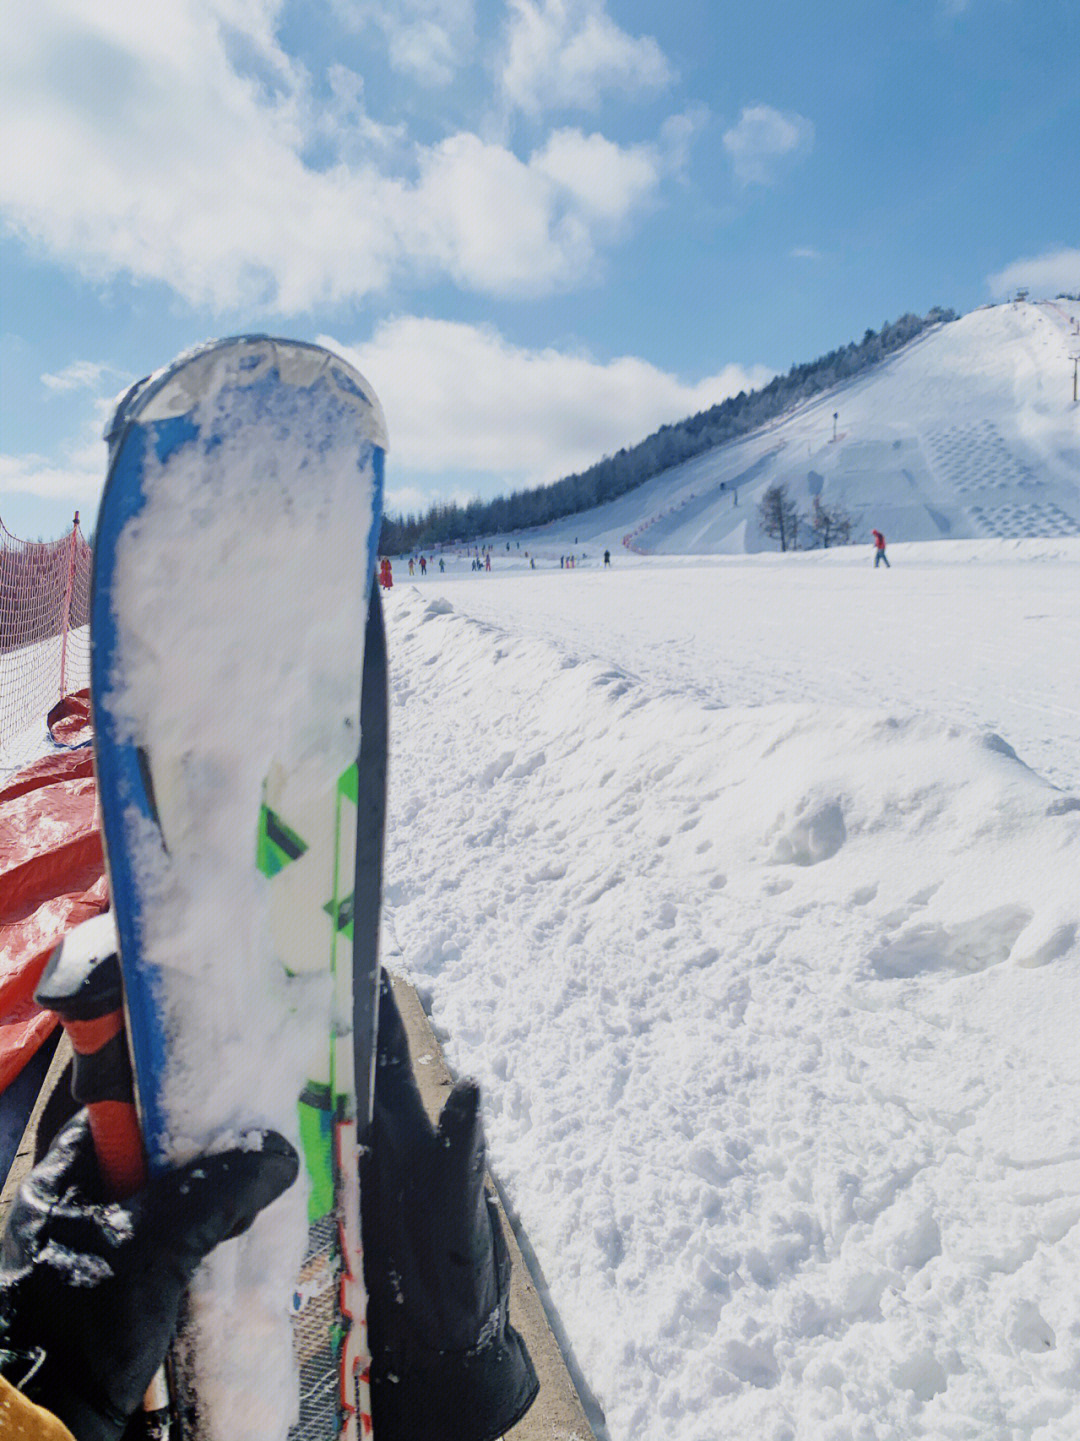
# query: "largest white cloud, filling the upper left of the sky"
[[169, 143]]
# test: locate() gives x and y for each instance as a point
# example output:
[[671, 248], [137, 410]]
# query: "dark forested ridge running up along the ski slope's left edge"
[[616, 475]]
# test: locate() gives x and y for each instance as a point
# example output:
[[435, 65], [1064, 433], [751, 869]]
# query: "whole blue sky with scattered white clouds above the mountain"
[[540, 227]]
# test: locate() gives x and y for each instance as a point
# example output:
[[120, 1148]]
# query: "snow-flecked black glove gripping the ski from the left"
[[90, 1289]]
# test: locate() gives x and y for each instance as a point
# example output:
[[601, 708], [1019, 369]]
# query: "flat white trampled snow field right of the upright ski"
[[749, 891]]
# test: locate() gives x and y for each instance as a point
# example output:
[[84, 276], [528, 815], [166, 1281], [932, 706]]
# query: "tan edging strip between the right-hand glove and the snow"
[[557, 1413]]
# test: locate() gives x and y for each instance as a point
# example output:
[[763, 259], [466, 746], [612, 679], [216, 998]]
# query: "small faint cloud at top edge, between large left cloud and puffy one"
[[428, 40]]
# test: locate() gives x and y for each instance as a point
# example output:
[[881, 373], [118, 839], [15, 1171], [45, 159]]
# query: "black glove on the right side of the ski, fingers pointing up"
[[446, 1362]]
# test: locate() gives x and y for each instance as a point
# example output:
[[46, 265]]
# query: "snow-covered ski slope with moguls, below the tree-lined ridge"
[[970, 432]]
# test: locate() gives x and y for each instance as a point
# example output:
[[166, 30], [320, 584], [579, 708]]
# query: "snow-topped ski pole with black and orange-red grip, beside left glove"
[[83, 986]]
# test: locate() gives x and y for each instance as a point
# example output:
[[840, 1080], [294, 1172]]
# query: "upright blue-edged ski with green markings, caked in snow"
[[234, 568]]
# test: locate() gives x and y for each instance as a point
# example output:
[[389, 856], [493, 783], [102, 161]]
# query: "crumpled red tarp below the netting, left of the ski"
[[53, 875]]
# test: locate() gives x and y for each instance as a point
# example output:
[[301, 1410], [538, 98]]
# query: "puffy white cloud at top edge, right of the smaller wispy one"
[[567, 54]]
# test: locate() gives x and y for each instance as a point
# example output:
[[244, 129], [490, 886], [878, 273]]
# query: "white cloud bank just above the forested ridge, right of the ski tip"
[[464, 398]]
